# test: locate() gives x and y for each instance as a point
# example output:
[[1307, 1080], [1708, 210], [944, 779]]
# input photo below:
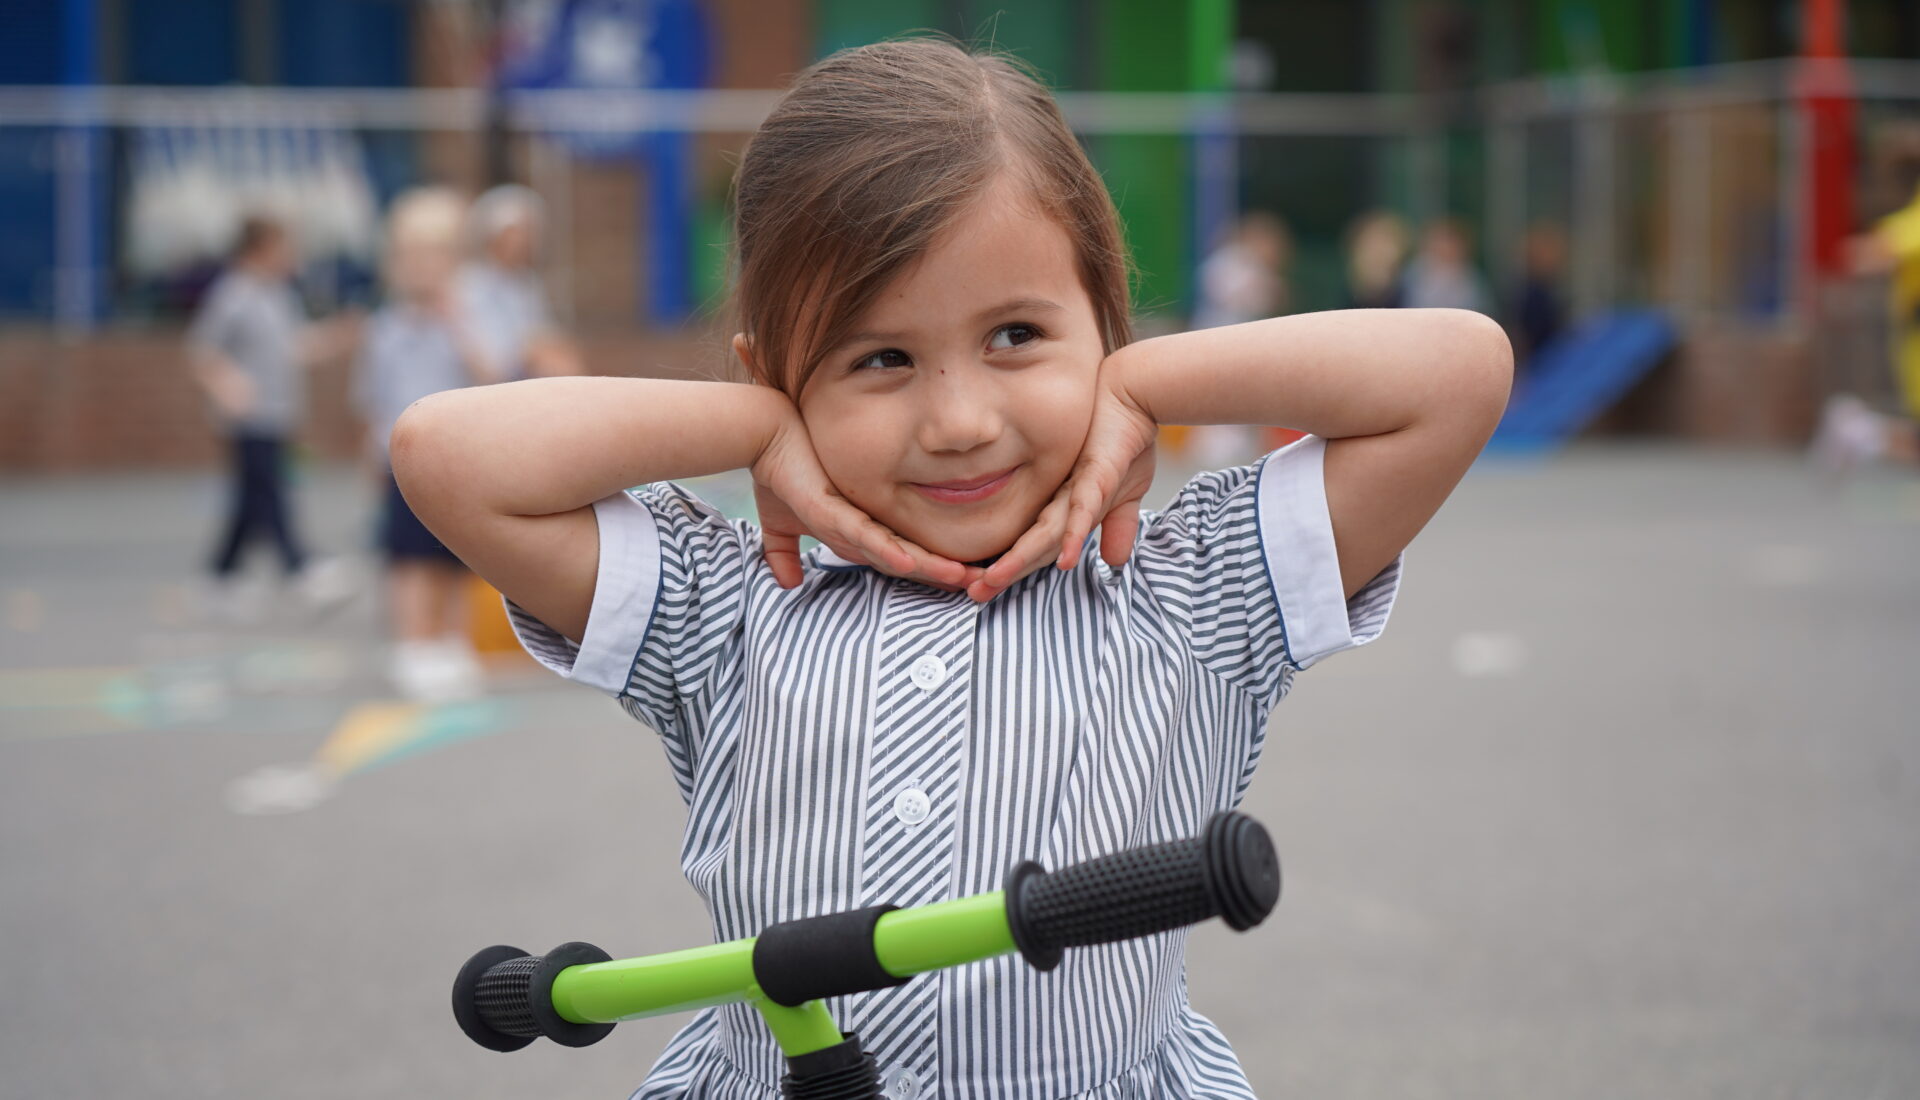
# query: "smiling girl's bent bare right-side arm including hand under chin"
[[1406, 400]]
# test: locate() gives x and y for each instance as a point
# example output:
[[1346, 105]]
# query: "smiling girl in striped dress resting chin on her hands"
[[934, 316]]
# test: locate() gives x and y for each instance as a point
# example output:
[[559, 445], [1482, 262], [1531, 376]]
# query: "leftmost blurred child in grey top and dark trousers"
[[249, 350]]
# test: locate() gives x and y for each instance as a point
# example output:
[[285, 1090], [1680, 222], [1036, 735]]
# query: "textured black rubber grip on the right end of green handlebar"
[[1230, 871]]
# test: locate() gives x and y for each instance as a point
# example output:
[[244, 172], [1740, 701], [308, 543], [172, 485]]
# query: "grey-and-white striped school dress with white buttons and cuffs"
[[865, 740]]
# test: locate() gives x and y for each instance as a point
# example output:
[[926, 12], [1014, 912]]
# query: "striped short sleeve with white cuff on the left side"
[[667, 602]]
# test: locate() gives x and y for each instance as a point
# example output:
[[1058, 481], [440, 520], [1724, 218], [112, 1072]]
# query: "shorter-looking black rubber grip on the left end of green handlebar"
[[504, 997]]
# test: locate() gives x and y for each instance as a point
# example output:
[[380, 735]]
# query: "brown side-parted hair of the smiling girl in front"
[[867, 158]]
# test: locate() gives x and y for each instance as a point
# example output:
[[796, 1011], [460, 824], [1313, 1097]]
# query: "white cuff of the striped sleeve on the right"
[[1305, 567]]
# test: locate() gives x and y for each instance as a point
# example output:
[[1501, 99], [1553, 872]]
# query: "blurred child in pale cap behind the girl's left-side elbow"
[[500, 289]]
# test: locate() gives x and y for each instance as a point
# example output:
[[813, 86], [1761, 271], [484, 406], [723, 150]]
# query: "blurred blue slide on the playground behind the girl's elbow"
[[1581, 375]]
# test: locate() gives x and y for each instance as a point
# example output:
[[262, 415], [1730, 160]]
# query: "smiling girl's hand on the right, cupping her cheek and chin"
[[1115, 471]]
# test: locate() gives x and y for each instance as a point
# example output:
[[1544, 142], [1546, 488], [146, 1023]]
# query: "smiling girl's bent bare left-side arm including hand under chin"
[[506, 477]]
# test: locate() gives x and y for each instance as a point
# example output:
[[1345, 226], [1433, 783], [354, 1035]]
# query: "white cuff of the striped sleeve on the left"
[[625, 596]]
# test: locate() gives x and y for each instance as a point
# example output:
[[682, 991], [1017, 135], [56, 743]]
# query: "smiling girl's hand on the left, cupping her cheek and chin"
[[796, 500]]
